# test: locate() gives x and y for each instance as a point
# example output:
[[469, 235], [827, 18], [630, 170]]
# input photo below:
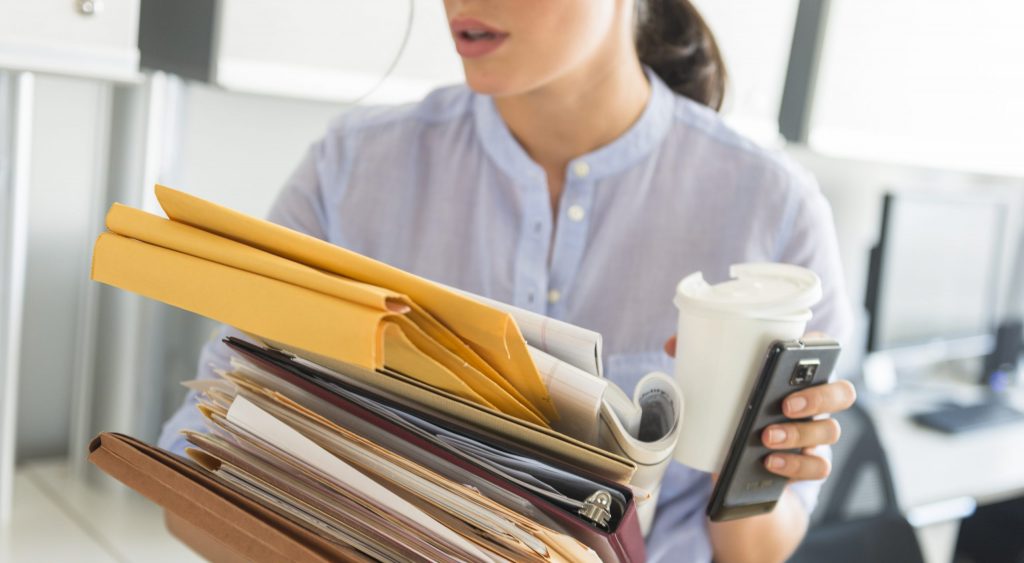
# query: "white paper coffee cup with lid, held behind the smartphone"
[[724, 333]]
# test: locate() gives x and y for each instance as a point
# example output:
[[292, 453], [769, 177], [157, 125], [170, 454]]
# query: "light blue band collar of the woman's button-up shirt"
[[638, 142]]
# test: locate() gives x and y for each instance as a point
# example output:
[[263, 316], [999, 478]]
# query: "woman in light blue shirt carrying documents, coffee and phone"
[[581, 175]]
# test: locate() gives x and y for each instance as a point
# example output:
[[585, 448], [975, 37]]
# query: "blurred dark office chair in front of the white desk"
[[858, 519]]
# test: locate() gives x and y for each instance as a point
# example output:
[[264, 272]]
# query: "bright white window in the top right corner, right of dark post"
[[929, 82]]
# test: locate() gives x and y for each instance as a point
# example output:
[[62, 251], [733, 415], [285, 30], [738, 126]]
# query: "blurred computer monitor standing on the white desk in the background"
[[935, 275]]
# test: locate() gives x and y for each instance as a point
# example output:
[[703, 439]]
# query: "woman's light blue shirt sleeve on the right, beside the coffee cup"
[[812, 243]]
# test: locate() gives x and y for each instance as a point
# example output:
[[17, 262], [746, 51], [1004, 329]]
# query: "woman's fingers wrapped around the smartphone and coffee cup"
[[818, 402]]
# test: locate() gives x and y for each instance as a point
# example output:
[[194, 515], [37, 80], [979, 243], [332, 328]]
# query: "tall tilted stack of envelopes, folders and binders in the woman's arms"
[[372, 415]]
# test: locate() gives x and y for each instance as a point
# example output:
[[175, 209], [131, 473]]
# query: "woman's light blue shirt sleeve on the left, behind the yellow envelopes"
[[300, 206]]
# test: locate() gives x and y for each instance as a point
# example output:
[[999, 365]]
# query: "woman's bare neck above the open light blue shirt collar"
[[577, 113]]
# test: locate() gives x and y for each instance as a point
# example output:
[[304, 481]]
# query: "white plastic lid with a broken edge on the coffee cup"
[[757, 290]]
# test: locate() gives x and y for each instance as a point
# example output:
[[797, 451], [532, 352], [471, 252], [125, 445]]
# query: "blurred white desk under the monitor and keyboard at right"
[[936, 473]]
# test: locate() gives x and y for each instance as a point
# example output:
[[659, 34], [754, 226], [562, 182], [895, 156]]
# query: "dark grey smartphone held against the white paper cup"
[[745, 488]]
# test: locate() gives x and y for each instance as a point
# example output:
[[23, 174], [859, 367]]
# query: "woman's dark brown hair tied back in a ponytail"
[[675, 42]]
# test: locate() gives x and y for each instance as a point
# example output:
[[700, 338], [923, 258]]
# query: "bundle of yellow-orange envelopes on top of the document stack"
[[260, 289]]
